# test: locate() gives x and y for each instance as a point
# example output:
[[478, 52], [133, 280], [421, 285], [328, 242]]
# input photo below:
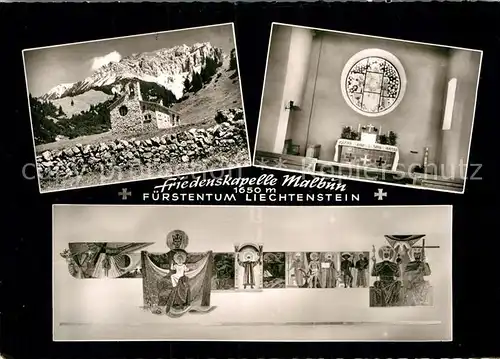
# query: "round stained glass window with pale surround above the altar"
[[373, 82]]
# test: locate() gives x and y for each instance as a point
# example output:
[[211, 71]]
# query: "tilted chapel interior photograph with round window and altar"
[[368, 108]]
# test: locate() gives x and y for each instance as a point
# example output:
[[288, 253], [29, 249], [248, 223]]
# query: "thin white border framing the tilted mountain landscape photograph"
[[148, 178]]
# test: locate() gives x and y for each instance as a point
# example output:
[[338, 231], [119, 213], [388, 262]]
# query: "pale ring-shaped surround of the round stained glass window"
[[386, 55]]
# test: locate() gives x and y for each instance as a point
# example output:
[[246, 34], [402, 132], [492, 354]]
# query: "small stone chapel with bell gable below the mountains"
[[130, 114]]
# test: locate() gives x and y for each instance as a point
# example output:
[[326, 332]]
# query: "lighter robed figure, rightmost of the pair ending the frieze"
[[416, 290]]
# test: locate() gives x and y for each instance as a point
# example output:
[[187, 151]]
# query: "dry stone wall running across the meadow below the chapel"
[[226, 136]]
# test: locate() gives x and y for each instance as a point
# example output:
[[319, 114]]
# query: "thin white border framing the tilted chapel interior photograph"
[[354, 178]]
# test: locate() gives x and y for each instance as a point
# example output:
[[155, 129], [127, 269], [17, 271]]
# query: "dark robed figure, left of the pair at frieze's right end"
[[385, 292]]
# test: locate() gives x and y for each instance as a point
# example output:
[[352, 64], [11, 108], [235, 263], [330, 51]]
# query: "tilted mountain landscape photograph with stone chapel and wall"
[[135, 108]]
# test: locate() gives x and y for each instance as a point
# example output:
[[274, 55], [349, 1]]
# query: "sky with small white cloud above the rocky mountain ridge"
[[50, 66]]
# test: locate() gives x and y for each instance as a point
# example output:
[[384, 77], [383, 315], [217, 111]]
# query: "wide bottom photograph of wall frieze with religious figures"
[[314, 274]]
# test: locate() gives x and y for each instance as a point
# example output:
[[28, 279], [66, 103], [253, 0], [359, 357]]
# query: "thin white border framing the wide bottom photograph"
[[256, 341]]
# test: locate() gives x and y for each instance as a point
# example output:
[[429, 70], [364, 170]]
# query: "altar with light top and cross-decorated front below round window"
[[366, 154]]
